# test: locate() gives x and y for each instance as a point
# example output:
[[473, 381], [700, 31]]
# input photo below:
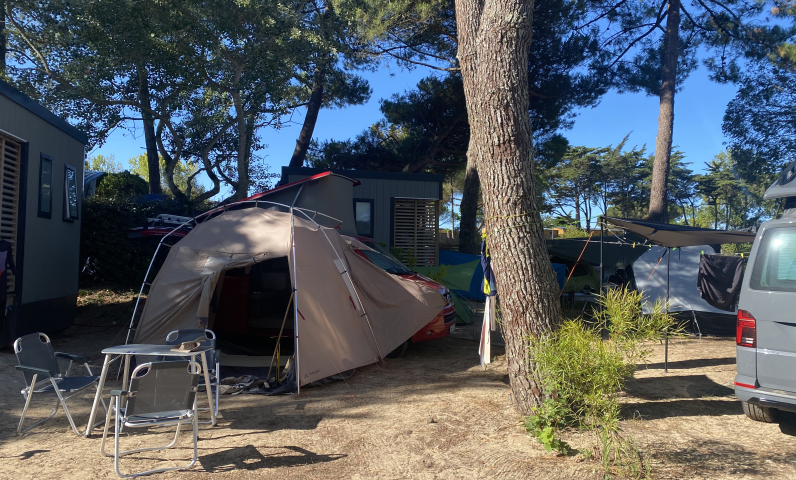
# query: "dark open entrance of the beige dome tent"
[[248, 310]]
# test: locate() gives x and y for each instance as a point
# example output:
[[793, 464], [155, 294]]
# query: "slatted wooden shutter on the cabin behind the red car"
[[416, 230]]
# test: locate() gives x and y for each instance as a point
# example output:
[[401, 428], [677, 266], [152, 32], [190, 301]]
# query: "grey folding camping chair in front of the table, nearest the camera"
[[160, 394]]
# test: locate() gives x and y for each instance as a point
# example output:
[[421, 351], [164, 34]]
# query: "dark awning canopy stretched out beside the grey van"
[[667, 235]]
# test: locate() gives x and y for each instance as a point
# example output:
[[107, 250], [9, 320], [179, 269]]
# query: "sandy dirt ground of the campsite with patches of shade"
[[430, 414]]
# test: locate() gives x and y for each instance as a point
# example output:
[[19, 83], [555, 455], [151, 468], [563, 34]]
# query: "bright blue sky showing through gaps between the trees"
[[699, 108]]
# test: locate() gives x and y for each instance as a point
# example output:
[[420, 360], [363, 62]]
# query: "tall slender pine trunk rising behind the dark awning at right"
[[663, 143]]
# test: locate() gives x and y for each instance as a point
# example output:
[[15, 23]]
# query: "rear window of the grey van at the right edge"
[[775, 265]]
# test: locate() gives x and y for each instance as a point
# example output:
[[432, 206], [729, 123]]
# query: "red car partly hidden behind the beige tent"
[[443, 324]]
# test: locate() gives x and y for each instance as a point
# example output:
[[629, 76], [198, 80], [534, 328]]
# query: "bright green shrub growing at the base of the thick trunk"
[[582, 374]]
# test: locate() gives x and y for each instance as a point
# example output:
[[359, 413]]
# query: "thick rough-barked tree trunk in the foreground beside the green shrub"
[[497, 39]]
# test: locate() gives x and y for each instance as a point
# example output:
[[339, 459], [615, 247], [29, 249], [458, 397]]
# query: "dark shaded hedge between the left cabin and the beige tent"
[[106, 254]]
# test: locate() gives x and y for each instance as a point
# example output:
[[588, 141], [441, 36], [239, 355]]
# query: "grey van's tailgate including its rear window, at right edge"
[[771, 300]]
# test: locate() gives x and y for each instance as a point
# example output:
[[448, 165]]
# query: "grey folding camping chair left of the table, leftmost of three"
[[39, 365]]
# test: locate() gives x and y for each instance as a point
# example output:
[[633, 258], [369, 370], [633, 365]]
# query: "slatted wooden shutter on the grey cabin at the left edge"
[[11, 153]]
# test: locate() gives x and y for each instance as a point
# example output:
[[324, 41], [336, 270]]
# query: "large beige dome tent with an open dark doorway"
[[347, 312]]
